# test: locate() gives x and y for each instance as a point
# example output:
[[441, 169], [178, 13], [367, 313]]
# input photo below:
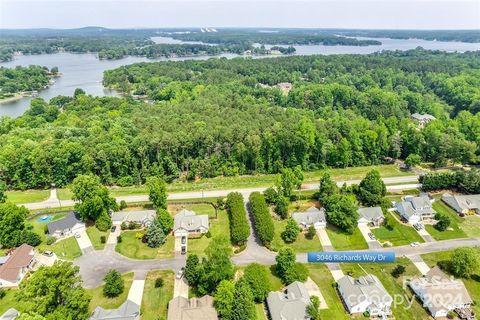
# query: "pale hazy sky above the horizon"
[[362, 14]]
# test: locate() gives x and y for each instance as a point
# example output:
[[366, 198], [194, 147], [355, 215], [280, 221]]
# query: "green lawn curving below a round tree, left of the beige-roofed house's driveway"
[[134, 248]]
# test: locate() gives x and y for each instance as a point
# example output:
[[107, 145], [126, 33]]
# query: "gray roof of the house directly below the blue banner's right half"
[[364, 288]]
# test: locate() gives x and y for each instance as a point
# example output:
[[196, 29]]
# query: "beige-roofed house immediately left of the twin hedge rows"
[[187, 222]]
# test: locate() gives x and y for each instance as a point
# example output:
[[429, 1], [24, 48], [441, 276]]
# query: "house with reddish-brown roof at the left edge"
[[20, 261]]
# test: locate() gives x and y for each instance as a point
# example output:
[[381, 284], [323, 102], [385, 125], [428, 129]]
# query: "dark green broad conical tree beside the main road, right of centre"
[[372, 189]]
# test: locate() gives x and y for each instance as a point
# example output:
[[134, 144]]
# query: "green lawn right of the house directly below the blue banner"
[[393, 286]]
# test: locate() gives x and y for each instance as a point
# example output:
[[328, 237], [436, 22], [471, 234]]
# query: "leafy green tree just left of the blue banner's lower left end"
[[287, 268]]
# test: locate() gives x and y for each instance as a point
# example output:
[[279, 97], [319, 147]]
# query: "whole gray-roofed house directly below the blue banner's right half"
[[365, 294]]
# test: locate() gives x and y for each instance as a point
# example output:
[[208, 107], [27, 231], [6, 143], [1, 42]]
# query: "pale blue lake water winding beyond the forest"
[[86, 71]]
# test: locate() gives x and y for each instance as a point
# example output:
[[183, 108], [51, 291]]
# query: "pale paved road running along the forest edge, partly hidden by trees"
[[405, 183]]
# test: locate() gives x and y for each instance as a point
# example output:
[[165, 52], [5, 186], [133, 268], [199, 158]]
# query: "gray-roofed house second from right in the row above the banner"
[[415, 209]]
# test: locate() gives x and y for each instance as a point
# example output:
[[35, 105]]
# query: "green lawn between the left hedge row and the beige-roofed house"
[[218, 227]]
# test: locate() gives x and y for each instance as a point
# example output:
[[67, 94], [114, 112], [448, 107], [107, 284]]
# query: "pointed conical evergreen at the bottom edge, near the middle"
[[243, 306]]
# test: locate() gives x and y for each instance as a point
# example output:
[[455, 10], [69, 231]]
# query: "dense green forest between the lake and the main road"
[[230, 117]]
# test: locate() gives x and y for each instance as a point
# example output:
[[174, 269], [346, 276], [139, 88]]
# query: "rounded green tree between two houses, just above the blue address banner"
[[342, 212]]
